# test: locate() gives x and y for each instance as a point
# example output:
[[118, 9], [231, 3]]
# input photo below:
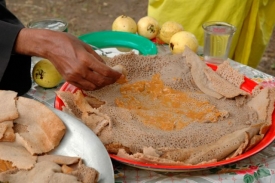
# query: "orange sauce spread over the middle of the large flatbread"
[[165, 108]]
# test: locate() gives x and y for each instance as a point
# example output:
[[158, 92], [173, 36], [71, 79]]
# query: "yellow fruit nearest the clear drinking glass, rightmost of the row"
[[181, 39]]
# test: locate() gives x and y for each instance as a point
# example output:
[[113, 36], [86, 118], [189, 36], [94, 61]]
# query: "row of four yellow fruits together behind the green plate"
[[171, 33]]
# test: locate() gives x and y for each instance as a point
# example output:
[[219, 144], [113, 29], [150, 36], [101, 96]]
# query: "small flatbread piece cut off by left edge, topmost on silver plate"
[[8, 109]]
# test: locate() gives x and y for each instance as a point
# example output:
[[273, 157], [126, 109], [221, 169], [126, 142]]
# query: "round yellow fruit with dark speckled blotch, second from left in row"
[[148, 27]]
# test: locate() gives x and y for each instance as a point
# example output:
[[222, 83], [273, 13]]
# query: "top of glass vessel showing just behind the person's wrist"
[[51, 24]]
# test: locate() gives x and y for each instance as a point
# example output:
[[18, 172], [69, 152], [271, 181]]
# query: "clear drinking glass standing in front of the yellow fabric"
[[217, 41]]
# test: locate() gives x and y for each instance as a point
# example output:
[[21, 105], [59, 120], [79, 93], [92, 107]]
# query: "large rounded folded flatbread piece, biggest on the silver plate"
[[43, 124]]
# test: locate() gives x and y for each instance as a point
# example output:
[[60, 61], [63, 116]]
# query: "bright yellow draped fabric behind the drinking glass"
[[254, 20]]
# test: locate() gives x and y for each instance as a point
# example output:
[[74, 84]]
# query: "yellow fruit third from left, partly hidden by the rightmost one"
[[168, 29]]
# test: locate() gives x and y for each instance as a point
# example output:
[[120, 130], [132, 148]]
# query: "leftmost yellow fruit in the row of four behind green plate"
[[125, 24]]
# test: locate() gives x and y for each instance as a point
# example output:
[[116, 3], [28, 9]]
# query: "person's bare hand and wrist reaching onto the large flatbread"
[[76, 61]]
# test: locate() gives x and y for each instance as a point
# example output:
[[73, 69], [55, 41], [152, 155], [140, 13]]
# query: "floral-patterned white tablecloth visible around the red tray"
[[257, 168]]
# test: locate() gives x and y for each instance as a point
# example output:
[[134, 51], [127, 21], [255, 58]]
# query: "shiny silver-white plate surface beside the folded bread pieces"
[[80, 141]]
